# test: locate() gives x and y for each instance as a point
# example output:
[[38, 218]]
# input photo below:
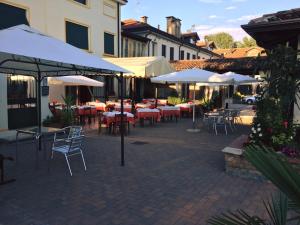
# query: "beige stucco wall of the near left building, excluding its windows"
[[49, 16]]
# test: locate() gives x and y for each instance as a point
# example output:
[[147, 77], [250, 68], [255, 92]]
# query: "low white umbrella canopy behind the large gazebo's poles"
[[75, 81]]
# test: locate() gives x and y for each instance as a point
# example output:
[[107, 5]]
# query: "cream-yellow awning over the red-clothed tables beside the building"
[[143, 67]]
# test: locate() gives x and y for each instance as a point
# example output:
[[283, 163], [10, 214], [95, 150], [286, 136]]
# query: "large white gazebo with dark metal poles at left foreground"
[[26, 51]]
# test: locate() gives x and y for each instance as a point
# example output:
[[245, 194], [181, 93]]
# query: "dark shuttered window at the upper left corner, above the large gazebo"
[[16, 16]]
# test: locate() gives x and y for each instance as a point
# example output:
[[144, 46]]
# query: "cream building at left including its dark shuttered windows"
[[92, 25]]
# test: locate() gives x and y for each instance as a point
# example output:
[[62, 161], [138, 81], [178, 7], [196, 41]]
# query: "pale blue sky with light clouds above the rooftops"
[[206, 16]]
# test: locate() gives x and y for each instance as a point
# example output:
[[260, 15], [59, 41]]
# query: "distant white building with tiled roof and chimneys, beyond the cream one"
[[171, 44]]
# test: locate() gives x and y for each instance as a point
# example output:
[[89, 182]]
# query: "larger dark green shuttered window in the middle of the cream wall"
[[77, 35]]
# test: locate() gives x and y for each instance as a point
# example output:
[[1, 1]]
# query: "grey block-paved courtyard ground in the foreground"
[[171, 177]]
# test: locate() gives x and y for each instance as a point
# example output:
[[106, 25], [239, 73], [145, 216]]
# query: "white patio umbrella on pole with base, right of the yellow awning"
[[191, 76]]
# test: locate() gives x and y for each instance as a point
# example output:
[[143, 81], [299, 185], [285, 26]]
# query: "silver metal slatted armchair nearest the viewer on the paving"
[[69, 147]]
